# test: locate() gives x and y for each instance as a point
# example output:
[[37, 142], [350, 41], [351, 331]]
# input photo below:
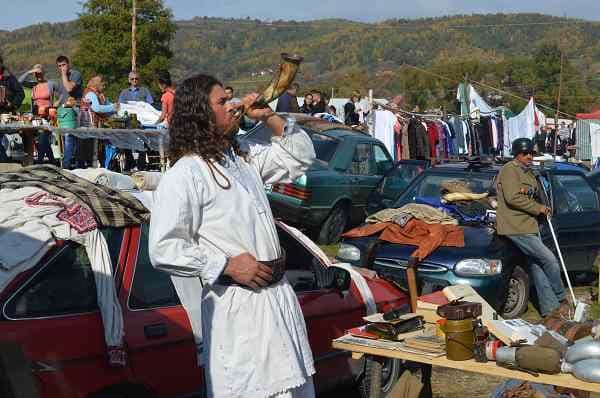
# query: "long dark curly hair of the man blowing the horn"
[[192, 129]]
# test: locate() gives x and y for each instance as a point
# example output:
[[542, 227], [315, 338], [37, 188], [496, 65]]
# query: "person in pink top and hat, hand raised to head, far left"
[[43, 94]]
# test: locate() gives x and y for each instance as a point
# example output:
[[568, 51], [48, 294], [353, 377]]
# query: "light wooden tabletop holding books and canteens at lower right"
[[487, 368]]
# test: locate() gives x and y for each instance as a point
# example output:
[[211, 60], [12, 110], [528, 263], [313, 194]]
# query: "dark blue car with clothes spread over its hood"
[[491, 264]]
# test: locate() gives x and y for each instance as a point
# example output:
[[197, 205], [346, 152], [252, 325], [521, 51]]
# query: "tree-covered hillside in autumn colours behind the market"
[[424, 58]]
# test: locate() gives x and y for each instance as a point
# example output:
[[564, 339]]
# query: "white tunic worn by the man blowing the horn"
[[254, 342]]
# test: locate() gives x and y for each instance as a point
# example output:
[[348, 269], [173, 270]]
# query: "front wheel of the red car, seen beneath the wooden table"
[[379, 377]]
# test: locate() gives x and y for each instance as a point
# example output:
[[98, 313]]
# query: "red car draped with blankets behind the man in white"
[[52, 312]]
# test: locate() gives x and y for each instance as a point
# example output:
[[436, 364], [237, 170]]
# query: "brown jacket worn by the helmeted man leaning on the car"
[[517, 208]]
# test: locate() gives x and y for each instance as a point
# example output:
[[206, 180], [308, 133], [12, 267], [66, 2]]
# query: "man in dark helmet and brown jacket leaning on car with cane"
[[517, 219]]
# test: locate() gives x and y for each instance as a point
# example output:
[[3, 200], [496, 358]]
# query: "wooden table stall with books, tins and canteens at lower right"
[[464, 334]]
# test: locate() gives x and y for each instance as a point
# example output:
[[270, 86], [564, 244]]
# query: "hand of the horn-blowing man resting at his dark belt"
[[245, 270]]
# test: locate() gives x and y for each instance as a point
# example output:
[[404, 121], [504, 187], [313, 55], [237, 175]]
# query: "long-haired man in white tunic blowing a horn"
[[211, 220]]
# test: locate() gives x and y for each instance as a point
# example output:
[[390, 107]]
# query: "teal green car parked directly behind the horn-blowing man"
[[333, 194]]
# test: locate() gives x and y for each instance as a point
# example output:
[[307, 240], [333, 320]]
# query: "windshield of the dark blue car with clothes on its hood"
[[431, 185]]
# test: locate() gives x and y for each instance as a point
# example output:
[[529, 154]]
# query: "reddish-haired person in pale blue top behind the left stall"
[[100, 108]]
